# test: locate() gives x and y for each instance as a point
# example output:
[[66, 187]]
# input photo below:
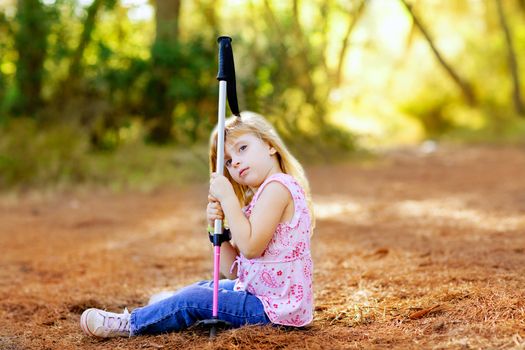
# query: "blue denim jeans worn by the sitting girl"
[[194, 303]]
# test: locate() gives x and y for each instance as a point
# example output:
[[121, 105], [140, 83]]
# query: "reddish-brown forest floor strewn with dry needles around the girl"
[[412, 250]]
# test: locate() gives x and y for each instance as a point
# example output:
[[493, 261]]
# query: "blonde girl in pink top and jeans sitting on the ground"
[[264, 196]]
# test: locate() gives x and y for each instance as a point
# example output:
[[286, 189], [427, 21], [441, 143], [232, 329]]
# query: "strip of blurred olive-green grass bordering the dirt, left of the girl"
[[33, 156]]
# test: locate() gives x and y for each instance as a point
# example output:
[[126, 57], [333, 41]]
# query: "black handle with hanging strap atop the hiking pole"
[[227, 71]]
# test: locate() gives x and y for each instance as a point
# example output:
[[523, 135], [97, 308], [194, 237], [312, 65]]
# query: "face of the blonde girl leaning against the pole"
[[250, 160]]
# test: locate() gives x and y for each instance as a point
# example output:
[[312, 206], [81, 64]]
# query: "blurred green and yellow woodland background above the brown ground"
[[122, 93]]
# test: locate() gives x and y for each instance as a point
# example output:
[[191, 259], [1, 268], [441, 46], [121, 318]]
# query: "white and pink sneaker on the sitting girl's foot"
[[103, 324]]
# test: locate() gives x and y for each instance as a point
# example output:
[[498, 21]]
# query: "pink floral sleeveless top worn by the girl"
[[282, 277]]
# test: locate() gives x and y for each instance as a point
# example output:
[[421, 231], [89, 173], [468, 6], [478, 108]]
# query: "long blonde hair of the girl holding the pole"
[[256, 124]]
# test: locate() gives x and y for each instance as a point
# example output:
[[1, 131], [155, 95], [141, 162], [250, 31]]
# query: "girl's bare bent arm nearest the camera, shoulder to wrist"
[[253, 235]]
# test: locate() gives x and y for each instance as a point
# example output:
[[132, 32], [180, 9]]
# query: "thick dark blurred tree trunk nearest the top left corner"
[[31, 45]]
